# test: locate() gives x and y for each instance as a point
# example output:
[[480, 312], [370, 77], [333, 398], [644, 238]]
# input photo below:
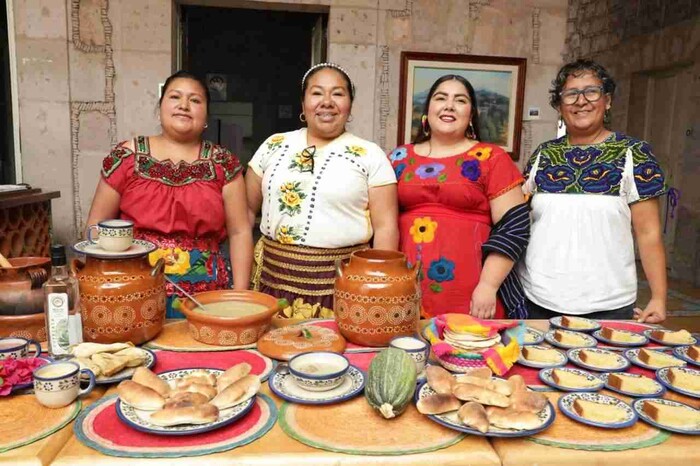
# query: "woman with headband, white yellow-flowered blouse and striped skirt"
[[324, 193]]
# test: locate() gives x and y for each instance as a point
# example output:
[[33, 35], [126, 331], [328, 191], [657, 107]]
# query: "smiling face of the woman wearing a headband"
[[326, 104]]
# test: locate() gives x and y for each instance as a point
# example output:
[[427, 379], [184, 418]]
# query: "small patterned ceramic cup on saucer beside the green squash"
[[318, 371]]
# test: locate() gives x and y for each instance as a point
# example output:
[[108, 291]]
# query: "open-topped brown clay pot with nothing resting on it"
[[376, 298]]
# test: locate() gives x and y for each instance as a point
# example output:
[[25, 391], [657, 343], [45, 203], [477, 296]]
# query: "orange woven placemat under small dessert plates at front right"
[[569, 434]]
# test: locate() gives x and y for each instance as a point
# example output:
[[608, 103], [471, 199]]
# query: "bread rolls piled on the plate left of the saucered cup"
[[194, 399]]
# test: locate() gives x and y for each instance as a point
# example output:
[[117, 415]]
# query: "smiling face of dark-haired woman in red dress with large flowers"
[[450, 109]]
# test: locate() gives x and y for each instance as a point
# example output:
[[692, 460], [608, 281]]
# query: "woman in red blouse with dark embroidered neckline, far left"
[[184, 194]]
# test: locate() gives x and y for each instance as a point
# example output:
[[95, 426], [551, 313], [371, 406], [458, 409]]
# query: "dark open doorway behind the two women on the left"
[[252, 61]]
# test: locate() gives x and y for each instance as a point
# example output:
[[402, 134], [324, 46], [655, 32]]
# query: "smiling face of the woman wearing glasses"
[[583, 117]]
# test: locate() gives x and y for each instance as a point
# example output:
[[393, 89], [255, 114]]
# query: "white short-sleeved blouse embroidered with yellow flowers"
[[319, 197]]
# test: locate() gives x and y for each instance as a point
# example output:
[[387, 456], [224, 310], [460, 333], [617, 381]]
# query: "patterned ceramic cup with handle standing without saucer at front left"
[[58, 384]]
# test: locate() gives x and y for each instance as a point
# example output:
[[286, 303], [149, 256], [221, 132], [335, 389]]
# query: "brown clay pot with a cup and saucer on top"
[[120, 299]]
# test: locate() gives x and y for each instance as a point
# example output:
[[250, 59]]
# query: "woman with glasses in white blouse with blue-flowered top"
[[591, 189]]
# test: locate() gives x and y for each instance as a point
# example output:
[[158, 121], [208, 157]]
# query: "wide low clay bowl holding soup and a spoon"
[[229, 331]]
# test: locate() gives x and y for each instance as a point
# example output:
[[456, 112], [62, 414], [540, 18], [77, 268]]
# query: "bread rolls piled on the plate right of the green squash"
[[483, 402]]
